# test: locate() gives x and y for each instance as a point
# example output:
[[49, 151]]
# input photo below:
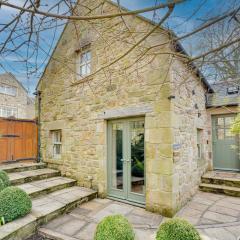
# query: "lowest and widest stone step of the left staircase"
[[45, 209]]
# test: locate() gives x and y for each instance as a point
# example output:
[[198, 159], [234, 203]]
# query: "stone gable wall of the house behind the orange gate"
[[24, 105]]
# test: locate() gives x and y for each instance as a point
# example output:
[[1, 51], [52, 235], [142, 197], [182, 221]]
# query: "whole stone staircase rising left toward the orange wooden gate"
[[52, 195]]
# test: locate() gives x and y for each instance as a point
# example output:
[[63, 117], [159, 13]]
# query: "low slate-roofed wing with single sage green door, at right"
[[222, 107]]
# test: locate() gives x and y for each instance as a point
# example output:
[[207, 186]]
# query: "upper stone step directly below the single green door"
[[221, 180]]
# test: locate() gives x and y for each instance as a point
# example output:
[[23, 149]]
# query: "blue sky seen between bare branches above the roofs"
[[186, 17]]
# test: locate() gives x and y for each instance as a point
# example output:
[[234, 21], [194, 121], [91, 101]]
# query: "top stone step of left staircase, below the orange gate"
[[20, 167]]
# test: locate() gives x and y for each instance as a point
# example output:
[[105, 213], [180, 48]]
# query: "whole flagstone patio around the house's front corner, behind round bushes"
[[217, 217]]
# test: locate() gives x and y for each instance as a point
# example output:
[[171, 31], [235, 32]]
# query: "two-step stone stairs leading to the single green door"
[[221, 182]]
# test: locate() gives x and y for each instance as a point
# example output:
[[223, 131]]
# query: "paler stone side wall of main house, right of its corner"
[[190, 116]]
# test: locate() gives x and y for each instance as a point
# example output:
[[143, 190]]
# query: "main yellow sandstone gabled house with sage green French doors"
[[137, 135]]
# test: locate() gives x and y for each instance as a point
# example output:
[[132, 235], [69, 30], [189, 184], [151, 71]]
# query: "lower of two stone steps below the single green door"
[[214, 188]]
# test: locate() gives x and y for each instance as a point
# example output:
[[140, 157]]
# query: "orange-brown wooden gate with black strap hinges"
[[18, 139]]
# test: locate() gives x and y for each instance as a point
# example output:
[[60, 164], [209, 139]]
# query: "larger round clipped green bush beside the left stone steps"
[[14, 203]]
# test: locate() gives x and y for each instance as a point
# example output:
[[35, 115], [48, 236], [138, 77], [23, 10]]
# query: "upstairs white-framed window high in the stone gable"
[[85, 62]]
